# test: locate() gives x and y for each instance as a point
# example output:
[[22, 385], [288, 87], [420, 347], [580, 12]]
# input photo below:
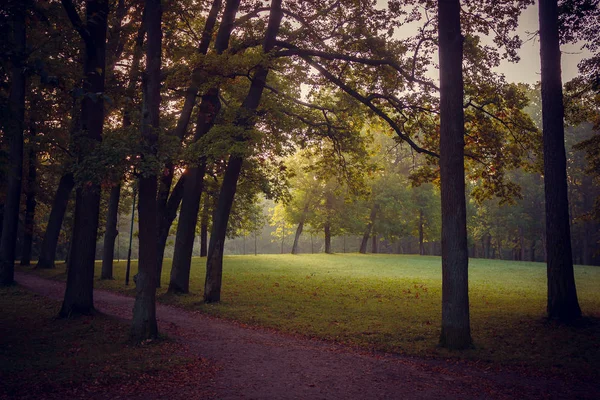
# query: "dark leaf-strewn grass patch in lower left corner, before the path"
[[44, 356]]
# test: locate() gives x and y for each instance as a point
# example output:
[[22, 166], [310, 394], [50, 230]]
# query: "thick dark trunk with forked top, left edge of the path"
[[80, 277]]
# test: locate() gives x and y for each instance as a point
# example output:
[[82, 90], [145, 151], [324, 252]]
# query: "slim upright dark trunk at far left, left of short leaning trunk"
[[30, 202]]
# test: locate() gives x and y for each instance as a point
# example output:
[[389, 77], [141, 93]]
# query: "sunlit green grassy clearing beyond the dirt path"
[[392, 303]]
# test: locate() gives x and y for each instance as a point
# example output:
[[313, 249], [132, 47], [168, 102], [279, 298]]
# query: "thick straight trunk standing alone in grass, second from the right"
[[456, 331]]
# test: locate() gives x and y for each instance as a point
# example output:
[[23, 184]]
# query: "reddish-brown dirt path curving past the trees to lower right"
[[260, 364]]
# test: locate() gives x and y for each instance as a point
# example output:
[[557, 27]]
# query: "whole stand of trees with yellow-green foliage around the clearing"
[[167, 130]]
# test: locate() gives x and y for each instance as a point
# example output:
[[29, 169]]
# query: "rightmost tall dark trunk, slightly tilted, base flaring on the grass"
[[562, 294]]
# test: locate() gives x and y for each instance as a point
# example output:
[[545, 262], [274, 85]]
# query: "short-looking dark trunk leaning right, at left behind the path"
[[57, 214]]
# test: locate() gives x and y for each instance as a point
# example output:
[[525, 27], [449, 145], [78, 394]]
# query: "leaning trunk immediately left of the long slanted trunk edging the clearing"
[[190, 204]]
